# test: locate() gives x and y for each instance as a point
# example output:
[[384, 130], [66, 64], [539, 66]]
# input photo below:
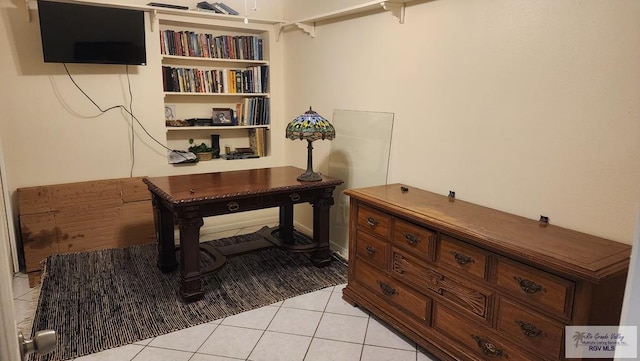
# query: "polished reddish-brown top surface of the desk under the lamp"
[[227, 185]]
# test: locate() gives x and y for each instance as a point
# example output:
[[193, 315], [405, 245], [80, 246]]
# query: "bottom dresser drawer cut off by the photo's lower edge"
[[481, 340]]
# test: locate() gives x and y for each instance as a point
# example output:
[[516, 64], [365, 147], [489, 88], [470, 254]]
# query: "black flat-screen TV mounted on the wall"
[[74, 33]]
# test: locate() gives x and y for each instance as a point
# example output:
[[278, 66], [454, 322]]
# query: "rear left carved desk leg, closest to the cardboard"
[[163, 219]]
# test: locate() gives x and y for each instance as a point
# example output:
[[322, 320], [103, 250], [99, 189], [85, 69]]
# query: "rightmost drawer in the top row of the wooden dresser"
[[551, 292]]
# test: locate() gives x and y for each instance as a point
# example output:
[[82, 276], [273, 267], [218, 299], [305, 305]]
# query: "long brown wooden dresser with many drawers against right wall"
[[471, 283]]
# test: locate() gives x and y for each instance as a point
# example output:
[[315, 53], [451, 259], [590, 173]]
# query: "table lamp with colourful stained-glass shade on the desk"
[[310, 126]]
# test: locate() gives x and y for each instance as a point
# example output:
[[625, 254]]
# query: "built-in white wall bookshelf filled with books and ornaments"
[[215, 80]]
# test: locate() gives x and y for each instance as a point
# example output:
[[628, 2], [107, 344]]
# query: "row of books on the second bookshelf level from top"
[[253, 79]]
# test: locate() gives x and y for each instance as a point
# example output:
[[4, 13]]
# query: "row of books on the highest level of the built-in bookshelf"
[[189, 43]]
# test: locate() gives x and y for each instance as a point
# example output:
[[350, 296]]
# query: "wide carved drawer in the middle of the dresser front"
[[469, 298]]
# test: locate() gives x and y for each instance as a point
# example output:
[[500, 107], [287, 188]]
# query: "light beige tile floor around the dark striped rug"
[[317, 326]]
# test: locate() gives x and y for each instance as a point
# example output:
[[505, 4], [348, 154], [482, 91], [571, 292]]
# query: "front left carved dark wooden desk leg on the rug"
[[190, 222]]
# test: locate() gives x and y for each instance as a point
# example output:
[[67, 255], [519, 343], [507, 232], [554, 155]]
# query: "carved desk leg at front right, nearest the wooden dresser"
[[321, 256]]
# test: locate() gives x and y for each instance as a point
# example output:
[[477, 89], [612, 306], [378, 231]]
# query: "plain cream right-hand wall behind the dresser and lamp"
[[530, 107]]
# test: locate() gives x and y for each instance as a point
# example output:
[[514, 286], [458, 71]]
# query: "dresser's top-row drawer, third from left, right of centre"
[[461, 256]]
